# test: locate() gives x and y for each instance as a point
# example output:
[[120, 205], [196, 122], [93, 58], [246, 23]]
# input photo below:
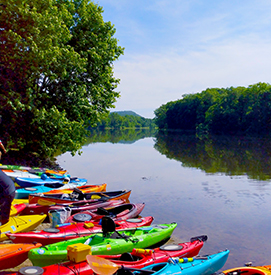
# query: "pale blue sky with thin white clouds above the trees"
[[177, 47]]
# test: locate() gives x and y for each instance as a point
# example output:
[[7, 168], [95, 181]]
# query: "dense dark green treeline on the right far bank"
[[220, 111]]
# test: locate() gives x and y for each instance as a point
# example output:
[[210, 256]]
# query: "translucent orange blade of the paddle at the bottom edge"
[[102, 266]]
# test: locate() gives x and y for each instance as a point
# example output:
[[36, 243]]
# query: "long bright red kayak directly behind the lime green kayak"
[[66, 232]]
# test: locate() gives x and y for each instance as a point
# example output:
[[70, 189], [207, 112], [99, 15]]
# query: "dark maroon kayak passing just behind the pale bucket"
[[76, 206]]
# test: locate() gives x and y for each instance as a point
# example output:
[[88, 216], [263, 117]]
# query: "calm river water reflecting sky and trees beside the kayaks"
[[211, 188]]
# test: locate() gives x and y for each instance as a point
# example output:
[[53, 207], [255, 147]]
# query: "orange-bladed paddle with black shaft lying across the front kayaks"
[[105, 267]]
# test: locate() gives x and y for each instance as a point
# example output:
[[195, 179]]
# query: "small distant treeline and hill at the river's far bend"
[[117, 121]]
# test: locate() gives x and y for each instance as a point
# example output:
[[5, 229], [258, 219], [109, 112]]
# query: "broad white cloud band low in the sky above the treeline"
[[148, 81]]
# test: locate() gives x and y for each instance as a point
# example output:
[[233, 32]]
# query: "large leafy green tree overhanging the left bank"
[[56, 72]]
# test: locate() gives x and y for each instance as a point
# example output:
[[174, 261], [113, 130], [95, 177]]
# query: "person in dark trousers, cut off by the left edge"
[[7, 192]]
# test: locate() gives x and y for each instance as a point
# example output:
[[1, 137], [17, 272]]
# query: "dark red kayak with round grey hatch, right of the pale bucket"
[[117, 213]]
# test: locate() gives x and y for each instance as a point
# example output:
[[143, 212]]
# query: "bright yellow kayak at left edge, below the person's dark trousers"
[[20, 224]]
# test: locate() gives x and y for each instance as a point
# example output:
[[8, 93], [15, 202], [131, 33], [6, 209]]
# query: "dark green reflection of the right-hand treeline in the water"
[[232, 156]]
